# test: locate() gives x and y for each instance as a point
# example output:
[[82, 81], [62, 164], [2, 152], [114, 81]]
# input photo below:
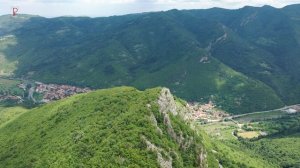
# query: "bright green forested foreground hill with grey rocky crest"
[[120, 127]]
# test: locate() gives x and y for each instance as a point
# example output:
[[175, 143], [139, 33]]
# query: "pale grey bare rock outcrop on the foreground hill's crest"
[[168, 108]]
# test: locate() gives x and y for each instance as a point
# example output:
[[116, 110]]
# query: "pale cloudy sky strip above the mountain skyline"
[[97, 8]]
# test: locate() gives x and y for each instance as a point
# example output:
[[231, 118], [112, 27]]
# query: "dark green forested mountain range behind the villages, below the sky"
[[243, 60]]
